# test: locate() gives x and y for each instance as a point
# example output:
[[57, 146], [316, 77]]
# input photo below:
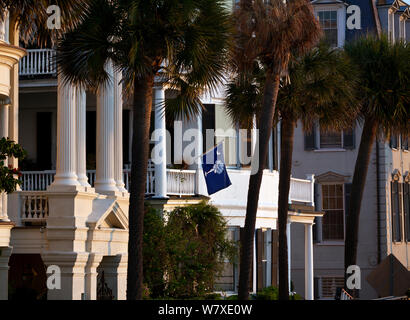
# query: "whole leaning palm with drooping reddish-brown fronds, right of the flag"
[[265, 33]]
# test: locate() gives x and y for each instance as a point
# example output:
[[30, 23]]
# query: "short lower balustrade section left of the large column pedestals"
[[34, 207]]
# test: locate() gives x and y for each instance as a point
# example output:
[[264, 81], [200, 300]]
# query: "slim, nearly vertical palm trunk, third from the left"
[[286, 151]]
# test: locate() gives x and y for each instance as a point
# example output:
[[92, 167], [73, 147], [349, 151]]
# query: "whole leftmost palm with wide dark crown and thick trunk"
[[181, 41]]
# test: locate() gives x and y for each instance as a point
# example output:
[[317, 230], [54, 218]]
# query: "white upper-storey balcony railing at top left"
[[38, 62]]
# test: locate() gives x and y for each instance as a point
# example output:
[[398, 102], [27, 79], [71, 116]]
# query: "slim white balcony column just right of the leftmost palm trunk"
[[160, 143]]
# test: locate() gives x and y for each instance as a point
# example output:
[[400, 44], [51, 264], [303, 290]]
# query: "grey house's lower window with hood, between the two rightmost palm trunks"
[[333, 205]]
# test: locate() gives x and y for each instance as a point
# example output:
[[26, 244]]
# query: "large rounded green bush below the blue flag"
[[185, 251]]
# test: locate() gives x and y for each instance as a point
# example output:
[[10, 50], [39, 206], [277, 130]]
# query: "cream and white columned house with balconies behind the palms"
[[70, 218]]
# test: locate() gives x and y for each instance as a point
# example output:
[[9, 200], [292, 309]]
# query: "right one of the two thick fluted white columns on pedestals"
[[104, 180]]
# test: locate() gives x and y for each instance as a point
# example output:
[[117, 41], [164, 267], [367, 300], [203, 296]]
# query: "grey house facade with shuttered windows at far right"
[[384, 218]]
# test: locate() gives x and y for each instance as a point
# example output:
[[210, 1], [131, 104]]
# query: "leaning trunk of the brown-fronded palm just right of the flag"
[[265, 130]]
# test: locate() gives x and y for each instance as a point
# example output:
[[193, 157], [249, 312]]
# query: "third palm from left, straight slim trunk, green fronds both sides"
[[319, 87]]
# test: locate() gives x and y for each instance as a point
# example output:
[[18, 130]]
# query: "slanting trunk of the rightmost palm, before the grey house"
[[359, 180]]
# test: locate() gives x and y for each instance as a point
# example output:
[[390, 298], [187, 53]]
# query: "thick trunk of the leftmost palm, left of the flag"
[[140, 148]]
